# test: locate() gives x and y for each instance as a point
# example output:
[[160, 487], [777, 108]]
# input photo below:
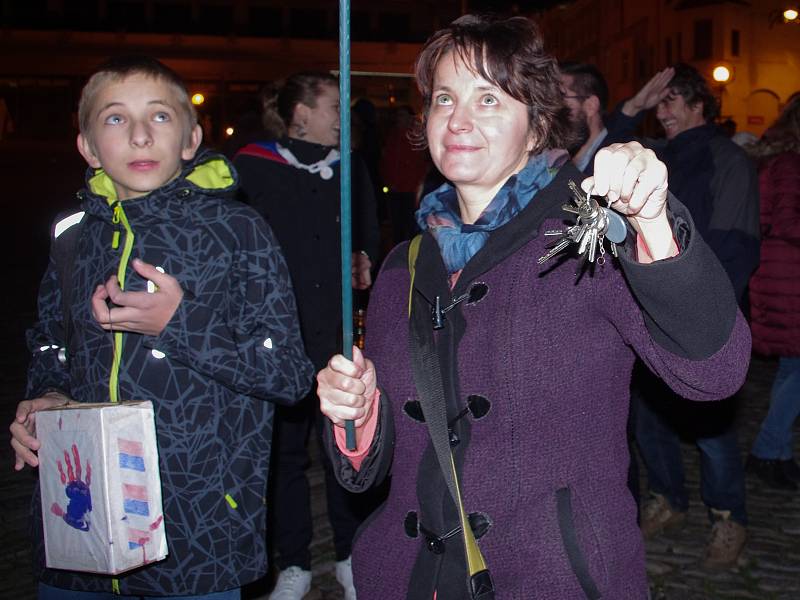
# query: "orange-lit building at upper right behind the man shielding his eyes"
[[629, 40]]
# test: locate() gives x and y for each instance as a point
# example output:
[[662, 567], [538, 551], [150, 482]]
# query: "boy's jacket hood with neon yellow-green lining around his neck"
[[207, 174]]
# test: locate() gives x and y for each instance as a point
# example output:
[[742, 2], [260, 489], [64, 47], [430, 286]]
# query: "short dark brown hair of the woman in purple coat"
[[510, 54]]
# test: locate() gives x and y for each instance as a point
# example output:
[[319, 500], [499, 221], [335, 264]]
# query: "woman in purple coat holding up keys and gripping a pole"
[[535, 365]]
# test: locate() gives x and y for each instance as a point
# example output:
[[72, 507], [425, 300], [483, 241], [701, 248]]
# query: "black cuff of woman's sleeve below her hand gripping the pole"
[[375, 466]]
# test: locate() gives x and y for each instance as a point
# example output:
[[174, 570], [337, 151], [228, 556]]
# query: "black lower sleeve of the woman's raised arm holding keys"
[[693, 313]]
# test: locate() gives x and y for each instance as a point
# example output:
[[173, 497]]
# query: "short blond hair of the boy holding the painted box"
[[117, 69]]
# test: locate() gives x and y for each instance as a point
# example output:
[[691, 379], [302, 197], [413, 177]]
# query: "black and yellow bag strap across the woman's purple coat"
[[430, 389]]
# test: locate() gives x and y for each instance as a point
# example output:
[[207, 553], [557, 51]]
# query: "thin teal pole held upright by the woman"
[[345, 217]]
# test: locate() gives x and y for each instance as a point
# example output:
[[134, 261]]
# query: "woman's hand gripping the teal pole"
[[346, 389]]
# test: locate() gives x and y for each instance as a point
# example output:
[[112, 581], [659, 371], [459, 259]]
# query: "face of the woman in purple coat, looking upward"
[[478, 135]]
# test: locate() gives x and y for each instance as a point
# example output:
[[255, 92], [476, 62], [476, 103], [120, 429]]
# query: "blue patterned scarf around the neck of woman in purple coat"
[[439, 211]]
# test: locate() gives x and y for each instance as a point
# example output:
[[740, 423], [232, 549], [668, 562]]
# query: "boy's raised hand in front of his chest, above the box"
[[138, 312]]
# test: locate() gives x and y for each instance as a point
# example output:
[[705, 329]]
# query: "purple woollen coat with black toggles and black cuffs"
[[550, 358]]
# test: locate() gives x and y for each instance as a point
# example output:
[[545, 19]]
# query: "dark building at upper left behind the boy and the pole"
[[224, 49]]
